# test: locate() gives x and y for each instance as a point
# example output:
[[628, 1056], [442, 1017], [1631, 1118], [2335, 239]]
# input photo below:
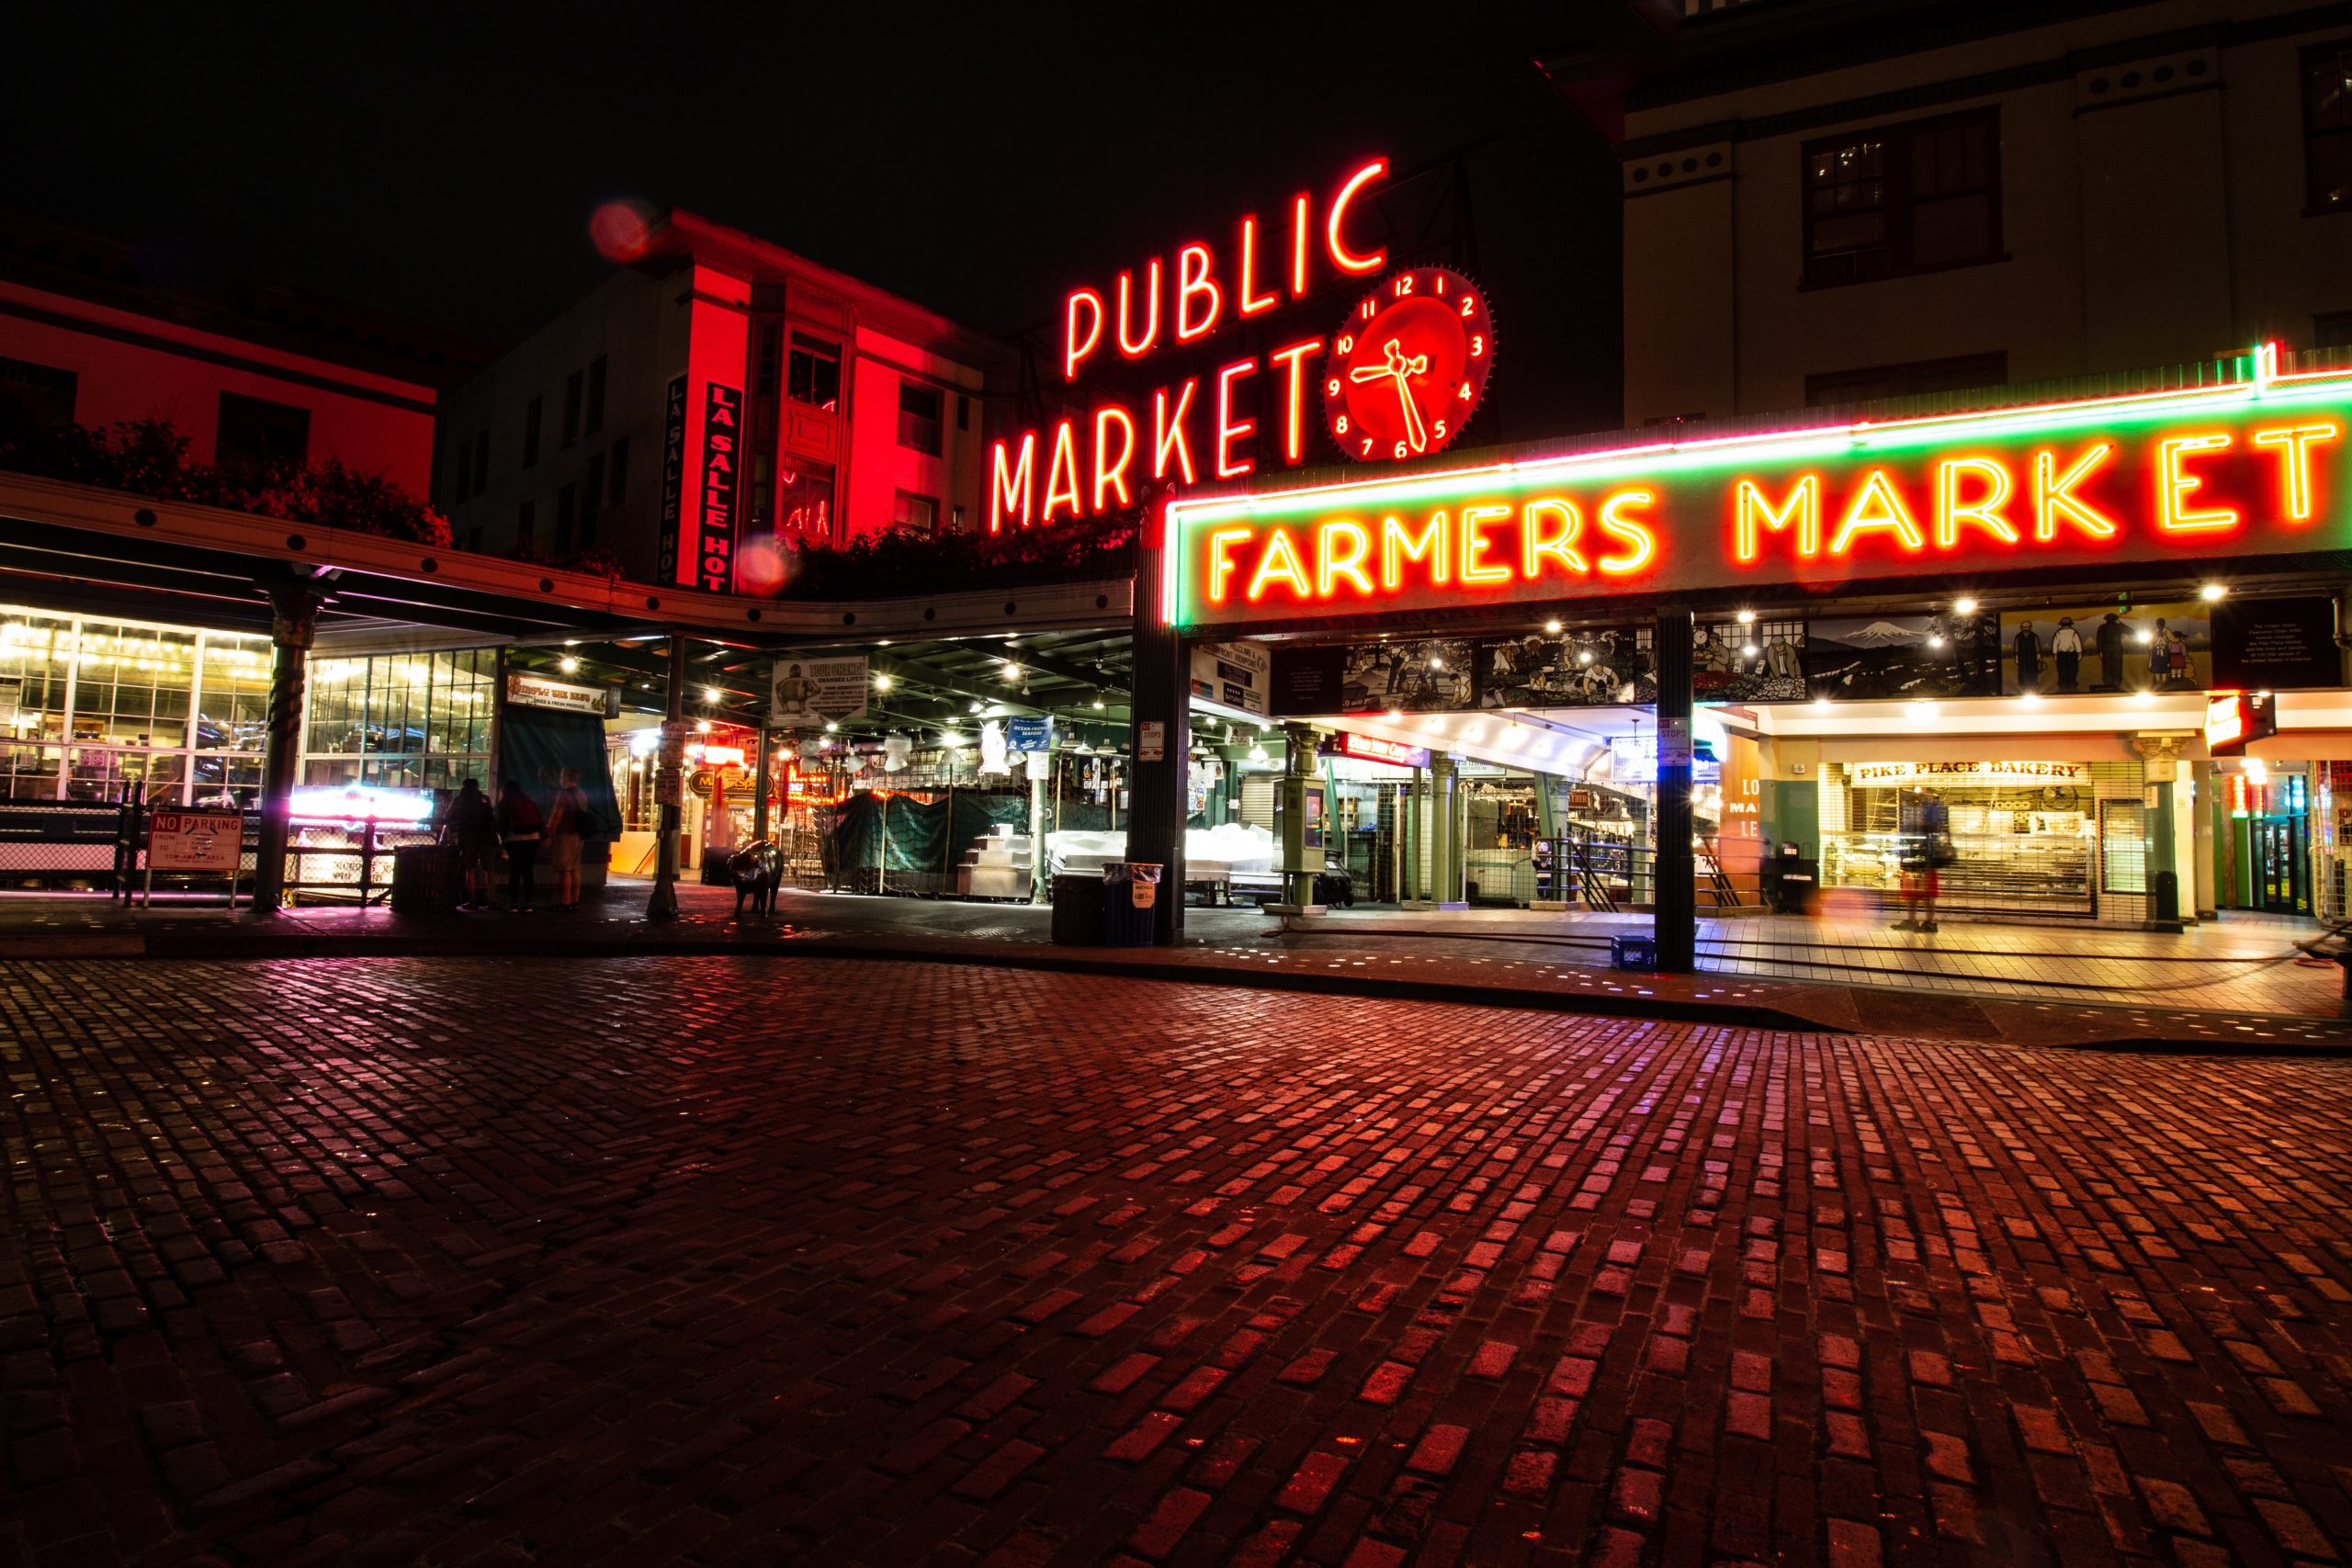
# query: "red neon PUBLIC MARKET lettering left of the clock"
[[1191, 429]]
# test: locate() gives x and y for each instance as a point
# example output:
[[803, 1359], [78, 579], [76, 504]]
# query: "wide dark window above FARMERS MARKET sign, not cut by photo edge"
[[1904, 199]]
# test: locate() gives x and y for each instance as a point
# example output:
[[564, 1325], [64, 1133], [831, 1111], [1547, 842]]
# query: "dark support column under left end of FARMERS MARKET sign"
[[1161, 739]]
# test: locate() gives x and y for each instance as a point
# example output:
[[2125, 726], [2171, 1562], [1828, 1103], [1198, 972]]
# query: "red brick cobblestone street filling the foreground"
[[730, 1261]]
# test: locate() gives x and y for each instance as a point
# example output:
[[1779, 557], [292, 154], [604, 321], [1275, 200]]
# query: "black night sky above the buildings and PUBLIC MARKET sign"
[[441, 163]]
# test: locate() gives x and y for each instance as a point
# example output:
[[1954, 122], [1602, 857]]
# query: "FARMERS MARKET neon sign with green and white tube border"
[[2250, 469]]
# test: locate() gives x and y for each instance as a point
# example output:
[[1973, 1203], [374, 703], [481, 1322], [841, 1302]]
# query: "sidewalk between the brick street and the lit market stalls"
[[2219, 986]]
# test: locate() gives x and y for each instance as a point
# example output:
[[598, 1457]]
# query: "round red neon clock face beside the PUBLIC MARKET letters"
[[1408, 366]]
